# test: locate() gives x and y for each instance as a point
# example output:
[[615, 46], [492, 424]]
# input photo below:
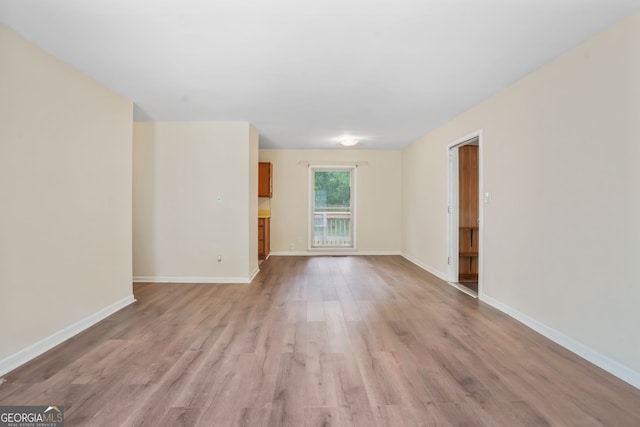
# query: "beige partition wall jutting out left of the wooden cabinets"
[[194, 199]]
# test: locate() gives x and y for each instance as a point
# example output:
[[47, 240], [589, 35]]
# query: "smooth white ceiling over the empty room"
[[305, 72]]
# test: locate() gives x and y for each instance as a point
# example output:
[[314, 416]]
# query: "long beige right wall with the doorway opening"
[[561, 150]]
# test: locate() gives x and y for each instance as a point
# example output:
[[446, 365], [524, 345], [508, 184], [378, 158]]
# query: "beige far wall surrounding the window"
[[378, 197]]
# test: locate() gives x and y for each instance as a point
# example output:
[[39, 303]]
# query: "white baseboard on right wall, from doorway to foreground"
[[614, 367]]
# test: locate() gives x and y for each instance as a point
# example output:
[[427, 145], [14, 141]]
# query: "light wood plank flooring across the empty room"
[[319, 341]]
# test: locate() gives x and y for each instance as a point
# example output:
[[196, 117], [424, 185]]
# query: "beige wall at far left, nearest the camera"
[[65, 190]]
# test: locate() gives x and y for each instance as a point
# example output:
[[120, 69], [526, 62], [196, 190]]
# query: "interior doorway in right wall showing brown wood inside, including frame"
[[465, 237]]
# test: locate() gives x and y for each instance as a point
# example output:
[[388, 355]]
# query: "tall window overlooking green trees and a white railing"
[[332, 196]]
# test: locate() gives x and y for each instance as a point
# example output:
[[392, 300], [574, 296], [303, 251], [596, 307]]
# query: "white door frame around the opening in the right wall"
[[453, 212]]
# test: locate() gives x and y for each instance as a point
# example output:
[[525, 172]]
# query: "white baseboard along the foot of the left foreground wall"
[[10, 363]]
